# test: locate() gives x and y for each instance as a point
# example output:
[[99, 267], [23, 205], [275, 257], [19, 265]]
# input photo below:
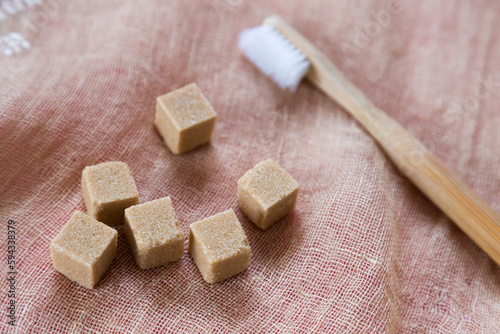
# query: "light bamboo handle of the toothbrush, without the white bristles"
[[472, 214]]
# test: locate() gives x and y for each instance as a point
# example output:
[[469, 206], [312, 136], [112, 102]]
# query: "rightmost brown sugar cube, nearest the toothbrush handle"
[[266, 193]]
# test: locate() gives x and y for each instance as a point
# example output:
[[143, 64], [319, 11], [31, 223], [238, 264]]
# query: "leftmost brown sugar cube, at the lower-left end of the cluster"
[[84, 249]]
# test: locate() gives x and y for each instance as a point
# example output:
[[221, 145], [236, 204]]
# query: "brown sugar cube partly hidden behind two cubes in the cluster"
[[108, 189]]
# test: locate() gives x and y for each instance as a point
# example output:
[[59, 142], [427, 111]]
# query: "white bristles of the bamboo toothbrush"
[[274, 55]]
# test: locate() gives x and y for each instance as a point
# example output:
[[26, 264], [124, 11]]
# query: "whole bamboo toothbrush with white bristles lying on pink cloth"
[[286, 56]]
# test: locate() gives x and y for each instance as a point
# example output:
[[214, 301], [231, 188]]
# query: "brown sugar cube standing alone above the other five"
[[184, 118]]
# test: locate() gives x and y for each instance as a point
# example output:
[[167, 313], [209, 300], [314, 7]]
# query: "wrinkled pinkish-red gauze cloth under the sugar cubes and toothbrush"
[[363, 252]]
